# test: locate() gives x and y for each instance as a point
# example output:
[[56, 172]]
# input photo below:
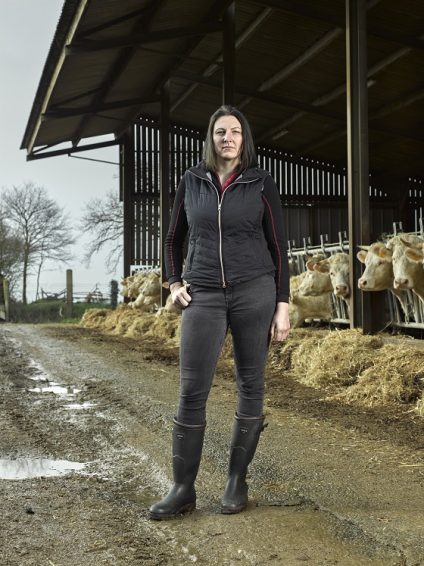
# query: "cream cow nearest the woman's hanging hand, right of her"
[[302, 307]]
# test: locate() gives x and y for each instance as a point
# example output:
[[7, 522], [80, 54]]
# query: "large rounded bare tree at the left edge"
[[42, 226]]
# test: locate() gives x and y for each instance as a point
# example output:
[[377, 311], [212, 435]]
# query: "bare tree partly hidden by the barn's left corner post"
[[104, 220]]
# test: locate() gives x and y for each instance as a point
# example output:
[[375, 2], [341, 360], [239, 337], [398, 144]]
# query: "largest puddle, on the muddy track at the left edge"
[[25, 468]]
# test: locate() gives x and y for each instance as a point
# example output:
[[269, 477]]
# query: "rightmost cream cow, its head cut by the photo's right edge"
[[407, 274]]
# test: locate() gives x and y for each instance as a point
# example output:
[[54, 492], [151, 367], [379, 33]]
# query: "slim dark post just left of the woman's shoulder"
[[165, 130]]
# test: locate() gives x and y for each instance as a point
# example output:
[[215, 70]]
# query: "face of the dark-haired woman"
[[228, 139]]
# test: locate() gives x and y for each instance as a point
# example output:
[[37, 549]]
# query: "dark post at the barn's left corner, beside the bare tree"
[[127, 160]]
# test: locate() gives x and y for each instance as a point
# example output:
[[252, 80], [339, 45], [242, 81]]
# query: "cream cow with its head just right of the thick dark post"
[[378, 273]]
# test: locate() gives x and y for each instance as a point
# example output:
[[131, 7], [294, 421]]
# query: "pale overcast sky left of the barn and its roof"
[[26, 32]]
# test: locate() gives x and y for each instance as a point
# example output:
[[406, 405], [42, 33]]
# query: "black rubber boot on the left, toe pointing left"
[[187, 443]]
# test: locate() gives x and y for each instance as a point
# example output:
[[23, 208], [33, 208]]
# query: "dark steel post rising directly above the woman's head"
[[229, 55]]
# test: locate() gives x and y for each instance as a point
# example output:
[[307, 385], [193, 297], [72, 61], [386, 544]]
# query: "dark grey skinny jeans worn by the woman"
[[247, 309]]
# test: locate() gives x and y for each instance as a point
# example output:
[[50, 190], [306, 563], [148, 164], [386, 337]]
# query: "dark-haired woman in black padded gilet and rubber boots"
[[235, 276]]
